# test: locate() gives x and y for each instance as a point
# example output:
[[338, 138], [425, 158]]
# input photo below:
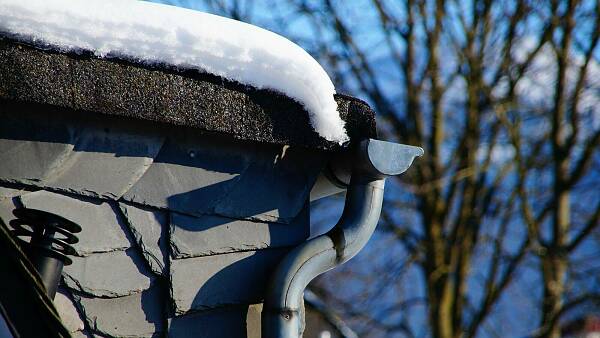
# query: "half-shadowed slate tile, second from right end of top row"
[[190, 173]]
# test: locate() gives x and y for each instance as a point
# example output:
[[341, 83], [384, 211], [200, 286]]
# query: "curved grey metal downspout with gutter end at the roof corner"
[[373, 161]]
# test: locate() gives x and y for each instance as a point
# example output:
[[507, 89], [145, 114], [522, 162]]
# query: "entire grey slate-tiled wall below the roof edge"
[[180, 230]]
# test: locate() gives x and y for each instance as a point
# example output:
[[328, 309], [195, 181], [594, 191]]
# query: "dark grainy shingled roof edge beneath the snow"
[[158, 92]]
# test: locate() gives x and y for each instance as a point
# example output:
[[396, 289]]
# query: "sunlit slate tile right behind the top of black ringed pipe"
[[101, 229]]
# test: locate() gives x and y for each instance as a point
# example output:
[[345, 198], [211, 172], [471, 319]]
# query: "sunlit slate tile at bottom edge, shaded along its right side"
[[137, 315]]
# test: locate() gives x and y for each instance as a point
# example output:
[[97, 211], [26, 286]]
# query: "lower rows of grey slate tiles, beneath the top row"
[[113, 278]]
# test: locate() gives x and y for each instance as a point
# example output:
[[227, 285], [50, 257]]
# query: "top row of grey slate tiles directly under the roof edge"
[[177, 170]]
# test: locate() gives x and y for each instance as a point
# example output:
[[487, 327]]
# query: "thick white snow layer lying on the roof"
[[151, 33]]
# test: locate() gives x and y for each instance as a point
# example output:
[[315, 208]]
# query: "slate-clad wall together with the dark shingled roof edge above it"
[[189, 188]]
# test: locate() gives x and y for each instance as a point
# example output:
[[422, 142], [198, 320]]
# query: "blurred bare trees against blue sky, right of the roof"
[[502, 214]]
